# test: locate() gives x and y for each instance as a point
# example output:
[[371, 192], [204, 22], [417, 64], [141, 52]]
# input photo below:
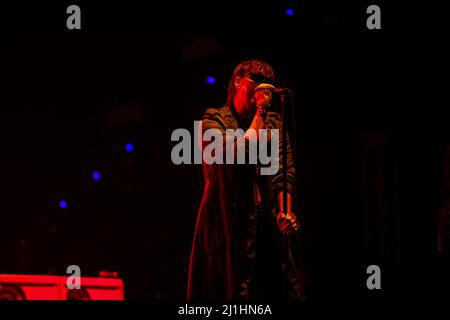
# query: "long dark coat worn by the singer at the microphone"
[[236, 251]]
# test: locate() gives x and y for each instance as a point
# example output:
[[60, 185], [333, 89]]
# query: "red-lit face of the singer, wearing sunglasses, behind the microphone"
[[244, 99]]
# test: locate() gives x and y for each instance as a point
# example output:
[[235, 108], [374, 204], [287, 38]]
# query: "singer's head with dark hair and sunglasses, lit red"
[[246, 77]]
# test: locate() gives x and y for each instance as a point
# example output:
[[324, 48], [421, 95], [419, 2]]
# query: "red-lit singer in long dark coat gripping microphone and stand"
[[237, 248]]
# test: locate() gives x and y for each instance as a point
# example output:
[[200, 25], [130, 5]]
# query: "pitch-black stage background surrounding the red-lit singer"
[[369, 139]]
